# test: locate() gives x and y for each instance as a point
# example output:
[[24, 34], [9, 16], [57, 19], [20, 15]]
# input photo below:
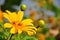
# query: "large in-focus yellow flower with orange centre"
[[18, 25]]
